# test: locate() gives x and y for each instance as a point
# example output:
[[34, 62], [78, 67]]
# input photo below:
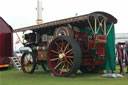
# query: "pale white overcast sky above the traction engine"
[[22, 13]]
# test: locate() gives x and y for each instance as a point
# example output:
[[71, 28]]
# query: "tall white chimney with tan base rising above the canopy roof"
[[39, 12]]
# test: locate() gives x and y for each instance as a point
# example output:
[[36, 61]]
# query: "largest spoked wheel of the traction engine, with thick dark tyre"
[[64, 56]]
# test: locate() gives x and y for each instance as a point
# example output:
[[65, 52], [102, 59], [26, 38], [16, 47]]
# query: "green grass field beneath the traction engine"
[[14, 77]]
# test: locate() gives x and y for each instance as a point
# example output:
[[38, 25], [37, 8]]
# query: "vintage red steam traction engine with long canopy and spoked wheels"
[[64, 46]]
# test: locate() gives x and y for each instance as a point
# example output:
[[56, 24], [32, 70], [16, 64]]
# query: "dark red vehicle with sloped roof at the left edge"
[[6, 43]]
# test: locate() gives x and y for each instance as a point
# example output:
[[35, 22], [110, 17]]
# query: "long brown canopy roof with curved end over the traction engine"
[[106, 16]]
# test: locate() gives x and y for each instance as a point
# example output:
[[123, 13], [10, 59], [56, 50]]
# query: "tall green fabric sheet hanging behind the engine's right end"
[[110, 49]]
